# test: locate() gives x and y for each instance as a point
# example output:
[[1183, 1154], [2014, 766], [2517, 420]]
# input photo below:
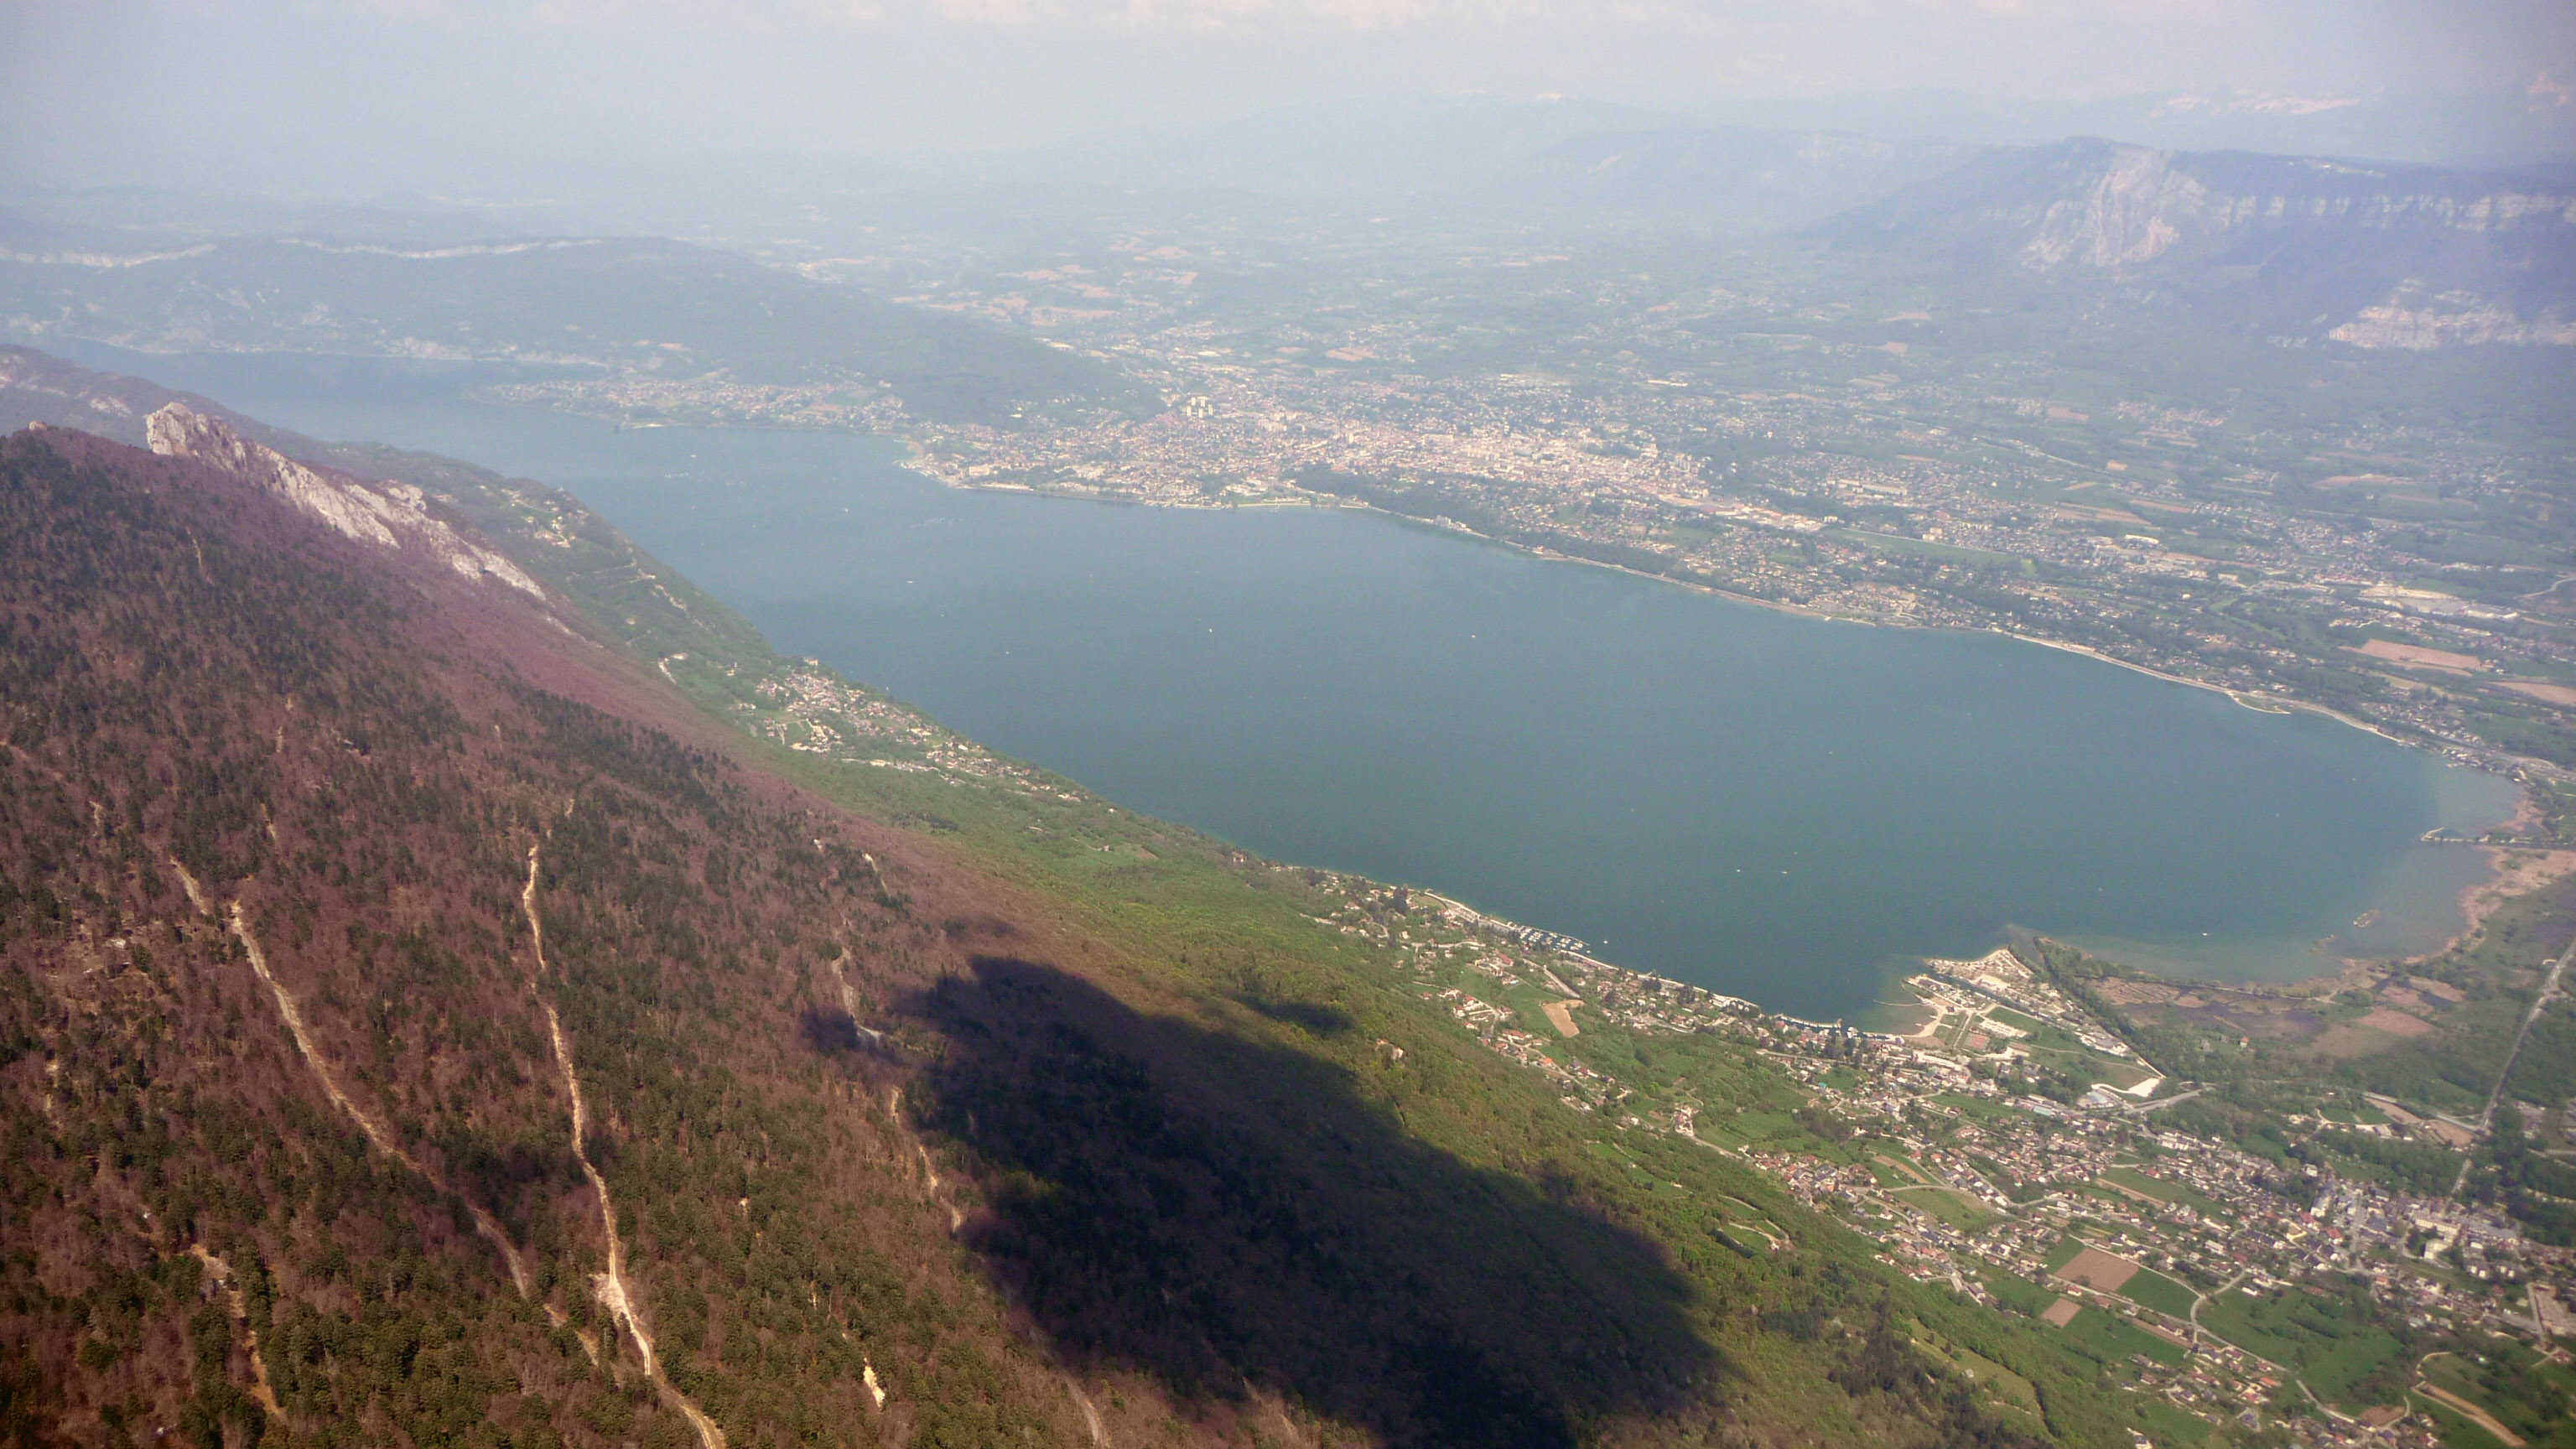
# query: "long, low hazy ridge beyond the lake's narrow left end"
[[583, 303]]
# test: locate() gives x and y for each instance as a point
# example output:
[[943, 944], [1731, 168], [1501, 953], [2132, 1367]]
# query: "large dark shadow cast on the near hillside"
[[1227, 1216]]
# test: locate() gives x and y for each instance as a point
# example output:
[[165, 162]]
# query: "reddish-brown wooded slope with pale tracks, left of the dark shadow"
[[279, 831]]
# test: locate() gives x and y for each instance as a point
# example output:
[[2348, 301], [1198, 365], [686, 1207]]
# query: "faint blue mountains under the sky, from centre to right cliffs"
[[2289, 249]]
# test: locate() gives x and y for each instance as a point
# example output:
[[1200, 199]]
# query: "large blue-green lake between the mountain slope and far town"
[[1738, 798]]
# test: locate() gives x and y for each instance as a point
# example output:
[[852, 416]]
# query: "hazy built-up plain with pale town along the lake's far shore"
[[1756, 434]]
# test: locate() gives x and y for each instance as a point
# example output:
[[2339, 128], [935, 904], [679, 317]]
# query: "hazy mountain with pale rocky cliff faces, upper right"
[[2307, 249]]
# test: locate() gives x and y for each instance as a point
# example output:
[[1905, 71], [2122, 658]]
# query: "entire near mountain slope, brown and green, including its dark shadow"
[[421, 1025]]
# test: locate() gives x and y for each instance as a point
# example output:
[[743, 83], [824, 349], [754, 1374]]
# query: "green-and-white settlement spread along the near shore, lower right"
[[2250, 1293]]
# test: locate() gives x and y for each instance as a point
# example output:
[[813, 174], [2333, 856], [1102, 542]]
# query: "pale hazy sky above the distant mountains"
[[457, 94]]
